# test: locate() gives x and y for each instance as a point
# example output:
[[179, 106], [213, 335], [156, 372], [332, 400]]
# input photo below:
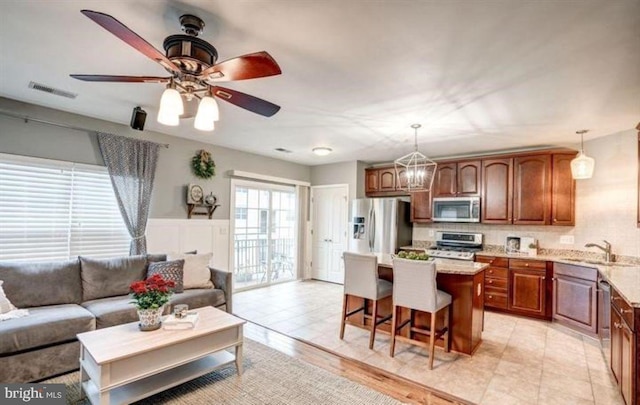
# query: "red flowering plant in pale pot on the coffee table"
[[149, 297]]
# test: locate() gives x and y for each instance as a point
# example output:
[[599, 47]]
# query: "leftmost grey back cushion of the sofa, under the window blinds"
[[38, 284]]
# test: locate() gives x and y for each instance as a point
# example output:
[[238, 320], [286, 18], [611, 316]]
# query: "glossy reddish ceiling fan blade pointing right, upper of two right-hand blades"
[[250, 66]]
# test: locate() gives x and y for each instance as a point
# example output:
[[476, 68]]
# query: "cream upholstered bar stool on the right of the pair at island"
[[414, 287]]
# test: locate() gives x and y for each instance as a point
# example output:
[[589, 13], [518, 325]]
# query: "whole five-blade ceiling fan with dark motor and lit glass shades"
[[191, 63]]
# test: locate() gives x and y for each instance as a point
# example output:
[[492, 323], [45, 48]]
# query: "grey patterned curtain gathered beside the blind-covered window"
[[132, 167]]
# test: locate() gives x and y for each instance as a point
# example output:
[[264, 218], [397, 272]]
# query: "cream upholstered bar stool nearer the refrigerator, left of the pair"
[[361, 280]]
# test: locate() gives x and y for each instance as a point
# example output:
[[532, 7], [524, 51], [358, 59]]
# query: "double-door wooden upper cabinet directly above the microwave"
[[457, 179]]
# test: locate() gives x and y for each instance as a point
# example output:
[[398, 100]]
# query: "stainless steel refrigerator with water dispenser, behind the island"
[[379, 225]]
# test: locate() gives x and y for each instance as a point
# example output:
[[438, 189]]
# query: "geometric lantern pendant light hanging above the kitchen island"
[[415, 171]]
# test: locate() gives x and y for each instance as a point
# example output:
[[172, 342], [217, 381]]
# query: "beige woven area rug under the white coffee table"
[[270, 377]]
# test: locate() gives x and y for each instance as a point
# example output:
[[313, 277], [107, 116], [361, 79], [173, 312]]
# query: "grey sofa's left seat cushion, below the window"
[[45, 326]]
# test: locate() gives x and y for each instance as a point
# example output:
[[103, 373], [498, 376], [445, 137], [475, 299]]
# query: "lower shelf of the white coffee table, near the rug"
[[154, 384]]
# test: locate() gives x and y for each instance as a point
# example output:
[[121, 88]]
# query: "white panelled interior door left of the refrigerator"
[[330, 210]]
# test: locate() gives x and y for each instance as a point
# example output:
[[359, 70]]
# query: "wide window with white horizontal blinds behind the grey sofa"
[[57, 210]]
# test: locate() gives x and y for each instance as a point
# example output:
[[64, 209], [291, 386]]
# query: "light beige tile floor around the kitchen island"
[[520, 361]]
